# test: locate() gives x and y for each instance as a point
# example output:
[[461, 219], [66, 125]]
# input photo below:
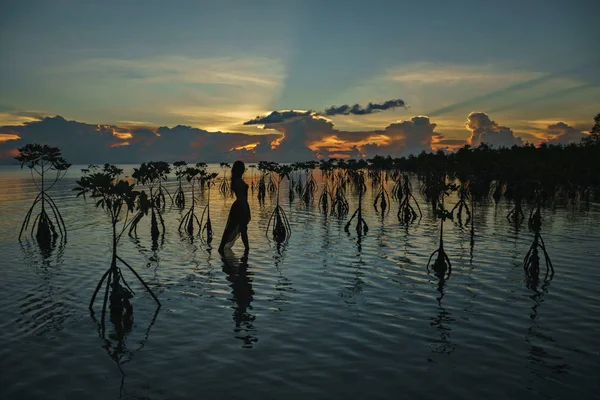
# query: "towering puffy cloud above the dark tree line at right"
[[484, 130]]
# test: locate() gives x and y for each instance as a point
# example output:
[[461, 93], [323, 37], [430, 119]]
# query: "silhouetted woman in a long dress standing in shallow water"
[[239, 215]]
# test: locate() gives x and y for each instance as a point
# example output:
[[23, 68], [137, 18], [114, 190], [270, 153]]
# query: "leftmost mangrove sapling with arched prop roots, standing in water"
[[43, 160]]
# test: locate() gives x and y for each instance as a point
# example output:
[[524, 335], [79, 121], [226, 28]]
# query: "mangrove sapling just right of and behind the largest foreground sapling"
[[151, 175]]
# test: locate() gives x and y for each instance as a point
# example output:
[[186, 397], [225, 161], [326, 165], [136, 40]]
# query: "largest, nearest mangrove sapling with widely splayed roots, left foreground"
[[115, 195]]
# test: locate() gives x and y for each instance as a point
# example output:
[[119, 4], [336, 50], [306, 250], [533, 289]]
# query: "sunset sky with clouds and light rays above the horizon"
[[130, 81]]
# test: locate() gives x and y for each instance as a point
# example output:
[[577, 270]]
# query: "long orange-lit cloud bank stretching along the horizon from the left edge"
[[301, 138]]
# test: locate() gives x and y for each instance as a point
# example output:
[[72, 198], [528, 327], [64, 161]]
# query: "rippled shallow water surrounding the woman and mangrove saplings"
[[330, 315]]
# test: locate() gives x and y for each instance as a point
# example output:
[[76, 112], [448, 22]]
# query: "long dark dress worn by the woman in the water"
[[239, 215]]
